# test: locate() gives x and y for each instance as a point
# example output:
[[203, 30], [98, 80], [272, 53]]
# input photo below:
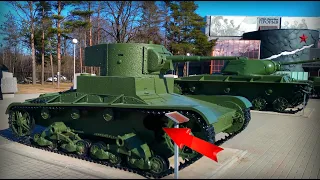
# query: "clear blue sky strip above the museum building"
[[260, 8]]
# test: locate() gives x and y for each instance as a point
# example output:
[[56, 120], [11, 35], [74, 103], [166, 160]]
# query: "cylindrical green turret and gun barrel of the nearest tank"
[[136, 60]]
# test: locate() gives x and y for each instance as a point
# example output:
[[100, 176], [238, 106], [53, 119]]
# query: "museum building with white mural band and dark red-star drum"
[[283, 39]]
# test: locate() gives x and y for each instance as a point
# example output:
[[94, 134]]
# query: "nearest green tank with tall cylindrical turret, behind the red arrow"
[[117, 118]]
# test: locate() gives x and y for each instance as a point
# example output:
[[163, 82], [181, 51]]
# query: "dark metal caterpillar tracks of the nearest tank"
[[209, 129]]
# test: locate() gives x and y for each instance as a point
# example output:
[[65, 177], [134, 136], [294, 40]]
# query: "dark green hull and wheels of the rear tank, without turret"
[[264, 92]]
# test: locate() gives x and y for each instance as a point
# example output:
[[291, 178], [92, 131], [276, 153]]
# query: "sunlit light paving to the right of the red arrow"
[[279, 146]]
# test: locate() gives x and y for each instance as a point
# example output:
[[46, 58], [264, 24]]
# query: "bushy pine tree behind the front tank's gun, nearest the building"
[[185, 30]]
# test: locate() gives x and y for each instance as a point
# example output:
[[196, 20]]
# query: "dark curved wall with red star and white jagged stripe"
[[285, 45]]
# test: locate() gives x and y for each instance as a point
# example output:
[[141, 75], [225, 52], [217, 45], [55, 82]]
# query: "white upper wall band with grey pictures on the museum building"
[[234, 26]]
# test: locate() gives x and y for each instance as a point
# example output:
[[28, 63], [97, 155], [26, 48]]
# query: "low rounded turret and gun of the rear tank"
[[257, 67]]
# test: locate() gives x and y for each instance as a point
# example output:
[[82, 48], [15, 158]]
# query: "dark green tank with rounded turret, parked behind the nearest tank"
[[253, 79]]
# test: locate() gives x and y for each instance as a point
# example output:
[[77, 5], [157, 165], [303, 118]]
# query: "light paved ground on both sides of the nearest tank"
[[272, 146]]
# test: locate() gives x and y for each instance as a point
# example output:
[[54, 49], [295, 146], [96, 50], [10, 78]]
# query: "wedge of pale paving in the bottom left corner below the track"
[[20, 161]]
